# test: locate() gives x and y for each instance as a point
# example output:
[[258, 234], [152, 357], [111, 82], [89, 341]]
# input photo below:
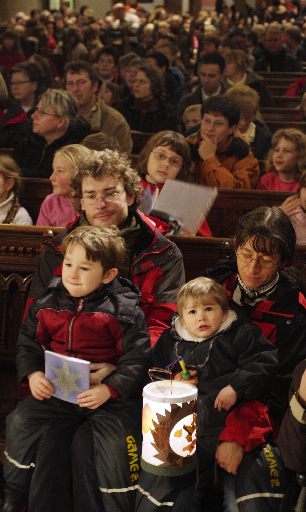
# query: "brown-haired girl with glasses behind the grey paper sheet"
[[166, 156]]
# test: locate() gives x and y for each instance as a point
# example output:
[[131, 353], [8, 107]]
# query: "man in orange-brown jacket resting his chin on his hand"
[[222, 158]]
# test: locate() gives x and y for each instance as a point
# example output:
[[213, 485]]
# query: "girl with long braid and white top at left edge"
[[10, 210]]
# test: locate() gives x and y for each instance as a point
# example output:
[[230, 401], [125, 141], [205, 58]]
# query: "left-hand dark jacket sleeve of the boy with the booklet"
[[30, 354]]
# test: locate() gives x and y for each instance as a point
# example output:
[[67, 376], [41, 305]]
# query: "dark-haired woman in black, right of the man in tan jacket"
[[147, 110]]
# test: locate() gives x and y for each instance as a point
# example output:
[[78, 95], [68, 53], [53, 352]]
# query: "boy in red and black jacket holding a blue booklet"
[[88, 314]]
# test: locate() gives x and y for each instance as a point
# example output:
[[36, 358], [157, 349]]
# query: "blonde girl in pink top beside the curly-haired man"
[[60, 207]]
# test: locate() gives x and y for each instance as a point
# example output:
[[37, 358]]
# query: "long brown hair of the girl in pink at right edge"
[[298, 138]]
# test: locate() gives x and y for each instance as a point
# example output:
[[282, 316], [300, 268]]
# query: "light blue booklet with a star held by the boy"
[[69, 375]]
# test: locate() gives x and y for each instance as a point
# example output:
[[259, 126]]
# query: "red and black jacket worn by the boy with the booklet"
[[106, 326]]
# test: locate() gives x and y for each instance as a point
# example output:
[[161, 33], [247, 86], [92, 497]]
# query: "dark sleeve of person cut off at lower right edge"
[[292, 434]]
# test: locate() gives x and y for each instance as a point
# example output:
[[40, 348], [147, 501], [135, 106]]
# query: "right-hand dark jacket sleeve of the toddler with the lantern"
[[256, 363]]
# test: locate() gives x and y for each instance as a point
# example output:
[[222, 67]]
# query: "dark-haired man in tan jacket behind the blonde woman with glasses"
[[83, 83]]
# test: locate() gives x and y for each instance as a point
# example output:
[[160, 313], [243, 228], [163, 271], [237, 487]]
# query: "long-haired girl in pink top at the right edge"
[[286, 161]]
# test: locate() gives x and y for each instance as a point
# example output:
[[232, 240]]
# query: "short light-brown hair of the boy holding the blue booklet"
[[100, 244]]
